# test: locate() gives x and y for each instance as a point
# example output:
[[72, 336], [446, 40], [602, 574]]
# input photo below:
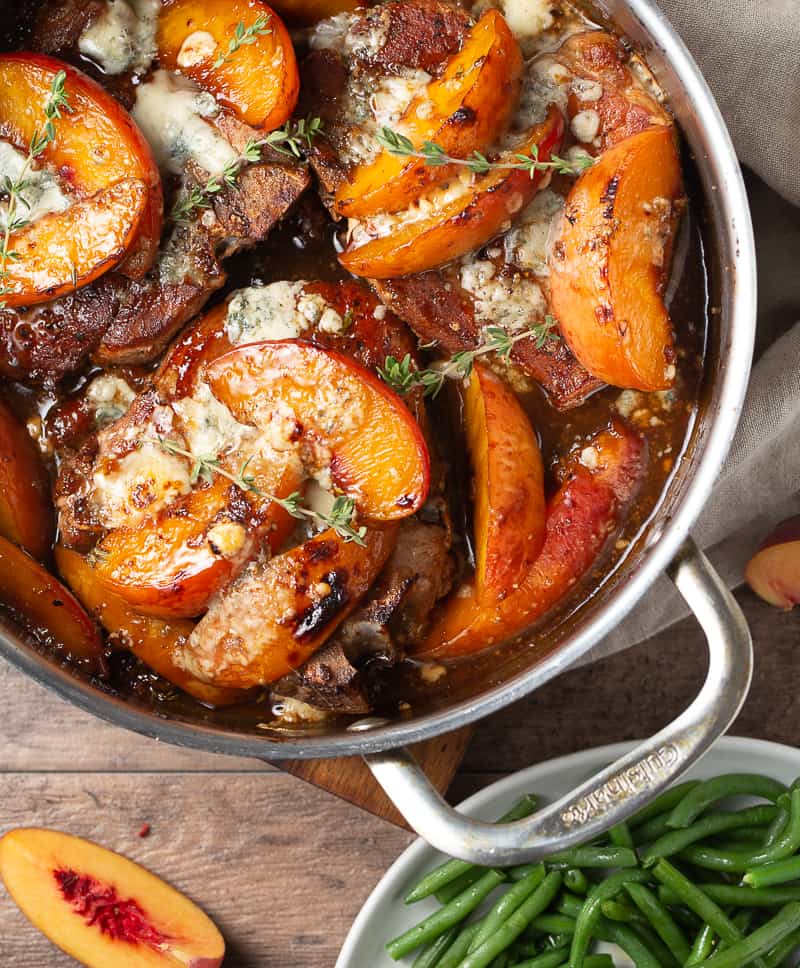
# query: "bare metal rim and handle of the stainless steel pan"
[[625, 785]]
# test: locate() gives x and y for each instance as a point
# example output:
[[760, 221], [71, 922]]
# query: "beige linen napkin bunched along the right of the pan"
[[749, 51]]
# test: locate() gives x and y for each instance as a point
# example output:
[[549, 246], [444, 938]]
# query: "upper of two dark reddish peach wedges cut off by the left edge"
[[26, 511]]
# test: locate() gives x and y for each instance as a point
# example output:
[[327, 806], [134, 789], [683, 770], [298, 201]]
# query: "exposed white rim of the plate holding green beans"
[[384, 915]]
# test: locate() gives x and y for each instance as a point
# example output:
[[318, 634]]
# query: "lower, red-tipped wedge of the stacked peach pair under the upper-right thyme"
[[452, 222]]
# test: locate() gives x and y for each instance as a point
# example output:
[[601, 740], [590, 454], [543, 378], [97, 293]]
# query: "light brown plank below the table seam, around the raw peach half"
[[281, 867]]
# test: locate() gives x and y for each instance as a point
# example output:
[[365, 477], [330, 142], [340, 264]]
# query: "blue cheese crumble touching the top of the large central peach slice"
[[282, 310]]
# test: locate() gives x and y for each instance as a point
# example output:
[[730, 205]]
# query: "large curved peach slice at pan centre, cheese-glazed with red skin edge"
[[339, 412]]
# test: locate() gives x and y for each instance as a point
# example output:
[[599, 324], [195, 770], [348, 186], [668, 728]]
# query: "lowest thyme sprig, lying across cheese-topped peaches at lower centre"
[[205, 466]]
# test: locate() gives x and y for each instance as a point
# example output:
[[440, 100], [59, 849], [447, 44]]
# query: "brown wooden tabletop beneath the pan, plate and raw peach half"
[[283, 868]]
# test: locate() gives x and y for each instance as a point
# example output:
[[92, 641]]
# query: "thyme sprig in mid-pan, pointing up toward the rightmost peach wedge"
[[402, 377]]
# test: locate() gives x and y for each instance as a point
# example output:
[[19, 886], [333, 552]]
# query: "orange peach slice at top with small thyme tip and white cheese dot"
[[259, 81]]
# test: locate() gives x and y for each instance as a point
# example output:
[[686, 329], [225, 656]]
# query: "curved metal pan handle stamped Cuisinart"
[[622, 788]]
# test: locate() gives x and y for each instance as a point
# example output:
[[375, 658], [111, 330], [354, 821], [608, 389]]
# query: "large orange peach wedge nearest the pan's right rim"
[[610, 262]]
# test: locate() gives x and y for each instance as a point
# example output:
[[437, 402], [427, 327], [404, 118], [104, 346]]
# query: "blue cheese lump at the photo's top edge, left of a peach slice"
[[123, 37]]
